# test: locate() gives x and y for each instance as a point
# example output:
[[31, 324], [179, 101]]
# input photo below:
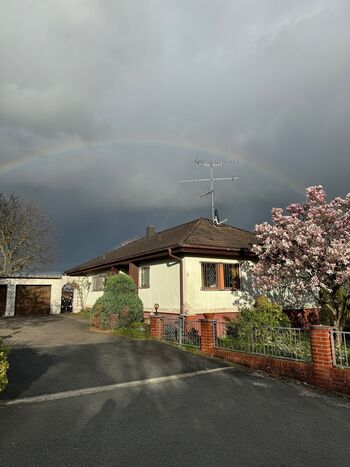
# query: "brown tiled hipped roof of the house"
[[200, 233]]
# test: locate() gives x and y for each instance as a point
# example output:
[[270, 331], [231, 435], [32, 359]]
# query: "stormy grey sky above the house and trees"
[[105, 104]]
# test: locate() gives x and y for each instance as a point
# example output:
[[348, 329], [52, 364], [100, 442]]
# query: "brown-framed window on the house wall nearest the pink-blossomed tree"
[[219, 276]]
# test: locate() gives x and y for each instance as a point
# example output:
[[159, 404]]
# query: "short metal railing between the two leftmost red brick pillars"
[[182, 331]]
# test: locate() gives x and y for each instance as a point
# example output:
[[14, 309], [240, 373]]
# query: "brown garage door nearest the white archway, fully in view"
[[33, 299]]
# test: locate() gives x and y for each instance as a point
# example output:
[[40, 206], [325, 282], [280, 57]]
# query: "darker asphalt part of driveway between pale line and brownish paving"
[[36, 371]]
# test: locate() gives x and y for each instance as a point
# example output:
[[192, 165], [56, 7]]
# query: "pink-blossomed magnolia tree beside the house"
[[307, 250]]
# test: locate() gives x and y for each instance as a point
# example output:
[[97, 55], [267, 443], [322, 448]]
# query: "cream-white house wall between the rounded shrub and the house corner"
[[164, 287]]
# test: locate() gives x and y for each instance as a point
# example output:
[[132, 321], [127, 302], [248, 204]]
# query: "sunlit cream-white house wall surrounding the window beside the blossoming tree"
[[219, 301]]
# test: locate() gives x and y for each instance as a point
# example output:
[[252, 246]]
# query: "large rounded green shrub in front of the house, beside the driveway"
[[120, 305]]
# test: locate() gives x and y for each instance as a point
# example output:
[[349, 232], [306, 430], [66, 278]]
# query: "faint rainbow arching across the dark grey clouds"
[[203, 152]]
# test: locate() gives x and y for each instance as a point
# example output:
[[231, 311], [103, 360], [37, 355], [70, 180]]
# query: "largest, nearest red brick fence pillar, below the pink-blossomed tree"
[[322, 360]]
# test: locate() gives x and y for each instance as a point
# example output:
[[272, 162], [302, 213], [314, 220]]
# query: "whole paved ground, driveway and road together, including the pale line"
[[183, 409]]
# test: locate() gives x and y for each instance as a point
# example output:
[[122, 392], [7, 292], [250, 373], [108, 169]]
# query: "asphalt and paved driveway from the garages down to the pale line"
[[54, 354]]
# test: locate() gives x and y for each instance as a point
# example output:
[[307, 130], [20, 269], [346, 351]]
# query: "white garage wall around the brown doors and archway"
[[56, 285]]
